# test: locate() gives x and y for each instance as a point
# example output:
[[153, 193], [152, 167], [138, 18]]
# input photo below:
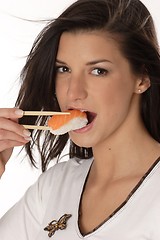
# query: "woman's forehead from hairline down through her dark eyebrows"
[[81, 47]]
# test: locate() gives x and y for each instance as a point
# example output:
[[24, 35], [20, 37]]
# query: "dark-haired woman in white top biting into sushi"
[[102, 57]]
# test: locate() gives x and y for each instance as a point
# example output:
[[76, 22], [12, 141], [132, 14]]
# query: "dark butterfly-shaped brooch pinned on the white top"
[[56, 225]]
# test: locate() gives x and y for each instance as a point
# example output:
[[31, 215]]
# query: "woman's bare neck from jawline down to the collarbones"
[[123, 155]]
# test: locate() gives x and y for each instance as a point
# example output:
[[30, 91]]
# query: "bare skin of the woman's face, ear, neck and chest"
[[93, 75]]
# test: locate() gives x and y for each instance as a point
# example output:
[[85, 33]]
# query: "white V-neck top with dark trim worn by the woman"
[[58, 192]]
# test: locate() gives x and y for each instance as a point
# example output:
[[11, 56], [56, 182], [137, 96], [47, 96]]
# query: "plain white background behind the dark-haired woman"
[[16, 38]]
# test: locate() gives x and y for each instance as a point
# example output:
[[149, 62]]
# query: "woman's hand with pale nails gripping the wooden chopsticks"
[[11, 134]]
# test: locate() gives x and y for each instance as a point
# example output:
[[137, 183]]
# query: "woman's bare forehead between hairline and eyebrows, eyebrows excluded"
[[88, 42]]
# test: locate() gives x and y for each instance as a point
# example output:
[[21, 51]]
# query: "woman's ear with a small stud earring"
[[142, 84]]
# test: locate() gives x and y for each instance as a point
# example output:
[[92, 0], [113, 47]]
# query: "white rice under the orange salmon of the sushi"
[[75, 123]]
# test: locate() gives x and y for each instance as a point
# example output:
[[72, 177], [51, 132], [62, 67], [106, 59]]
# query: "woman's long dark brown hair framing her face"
[[132, 24]]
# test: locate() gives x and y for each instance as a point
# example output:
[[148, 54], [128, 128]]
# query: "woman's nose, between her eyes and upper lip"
[[77, 88]]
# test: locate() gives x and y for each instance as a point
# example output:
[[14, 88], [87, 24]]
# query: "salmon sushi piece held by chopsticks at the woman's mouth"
[[60, 124]]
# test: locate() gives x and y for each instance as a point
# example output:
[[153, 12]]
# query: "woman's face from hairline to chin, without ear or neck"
[[93, 75]]
